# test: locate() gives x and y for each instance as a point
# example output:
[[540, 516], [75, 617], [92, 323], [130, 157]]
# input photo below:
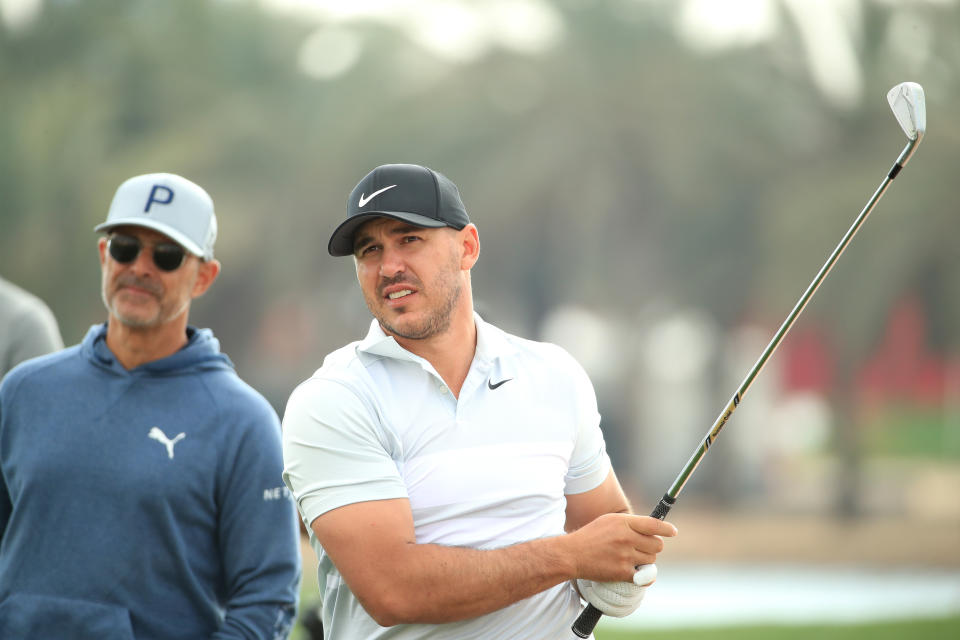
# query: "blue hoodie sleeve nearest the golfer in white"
[[259, 534]]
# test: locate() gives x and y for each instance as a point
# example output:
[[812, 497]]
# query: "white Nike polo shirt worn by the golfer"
[[485, 470]]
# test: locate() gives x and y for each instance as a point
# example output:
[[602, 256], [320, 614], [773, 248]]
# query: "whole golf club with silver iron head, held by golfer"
[[907, 101]]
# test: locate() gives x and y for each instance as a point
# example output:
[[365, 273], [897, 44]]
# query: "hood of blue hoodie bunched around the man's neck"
[[202, 352]]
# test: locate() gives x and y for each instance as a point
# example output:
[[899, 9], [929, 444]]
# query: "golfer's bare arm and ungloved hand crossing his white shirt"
[[400, 581]]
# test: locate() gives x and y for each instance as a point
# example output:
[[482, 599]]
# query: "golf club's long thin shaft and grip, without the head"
[[584, 624]]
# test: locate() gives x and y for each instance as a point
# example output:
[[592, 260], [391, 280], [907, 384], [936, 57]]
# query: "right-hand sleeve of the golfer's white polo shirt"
[[589, 463]]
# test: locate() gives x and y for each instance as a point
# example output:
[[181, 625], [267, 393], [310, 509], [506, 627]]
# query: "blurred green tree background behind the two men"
[[655, 184]]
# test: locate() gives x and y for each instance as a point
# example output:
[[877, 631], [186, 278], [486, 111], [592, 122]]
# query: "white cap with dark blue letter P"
[[167, 203]]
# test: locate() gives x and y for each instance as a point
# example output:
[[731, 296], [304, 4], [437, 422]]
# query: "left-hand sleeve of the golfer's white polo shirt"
[[335, 450]]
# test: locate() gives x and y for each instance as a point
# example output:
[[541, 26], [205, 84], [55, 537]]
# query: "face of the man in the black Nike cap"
[[410, 276]]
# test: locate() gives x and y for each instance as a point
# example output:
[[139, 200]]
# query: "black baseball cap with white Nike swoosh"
[[409, 192]]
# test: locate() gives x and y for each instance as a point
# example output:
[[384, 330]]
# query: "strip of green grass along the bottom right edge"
[[937, 629]]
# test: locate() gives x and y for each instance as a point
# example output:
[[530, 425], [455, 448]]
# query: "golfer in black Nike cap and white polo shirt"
[[453, 477]]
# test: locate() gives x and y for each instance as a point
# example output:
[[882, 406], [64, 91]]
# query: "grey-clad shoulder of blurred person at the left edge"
[[27, 327]]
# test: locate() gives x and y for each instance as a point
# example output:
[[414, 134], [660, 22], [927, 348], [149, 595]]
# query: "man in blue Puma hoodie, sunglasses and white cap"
[[140, 478]]
